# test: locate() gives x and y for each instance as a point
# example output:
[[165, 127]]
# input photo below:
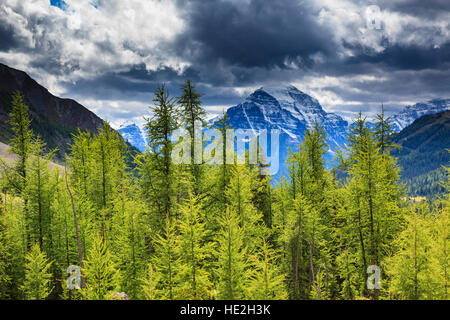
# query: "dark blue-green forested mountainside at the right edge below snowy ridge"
[[423, 152]]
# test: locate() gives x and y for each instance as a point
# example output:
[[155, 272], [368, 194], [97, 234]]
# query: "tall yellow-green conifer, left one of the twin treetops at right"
[[375, 197]]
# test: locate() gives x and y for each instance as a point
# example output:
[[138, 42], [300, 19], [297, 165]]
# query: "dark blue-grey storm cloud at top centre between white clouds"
[[252, 34]]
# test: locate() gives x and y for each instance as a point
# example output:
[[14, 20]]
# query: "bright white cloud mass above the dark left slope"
[[85, 41]]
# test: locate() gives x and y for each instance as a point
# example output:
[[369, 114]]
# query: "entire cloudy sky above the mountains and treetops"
[[349, 54]]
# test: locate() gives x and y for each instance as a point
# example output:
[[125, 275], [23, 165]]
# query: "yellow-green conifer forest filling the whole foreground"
[[124, 224]]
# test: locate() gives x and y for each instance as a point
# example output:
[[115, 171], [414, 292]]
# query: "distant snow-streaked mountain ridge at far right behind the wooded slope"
[[410, 113]]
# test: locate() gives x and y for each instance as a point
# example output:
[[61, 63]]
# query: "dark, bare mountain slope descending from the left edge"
[[54, 119]]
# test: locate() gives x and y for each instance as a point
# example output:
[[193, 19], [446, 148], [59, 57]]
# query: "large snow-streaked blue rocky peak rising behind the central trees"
[[291, 111]]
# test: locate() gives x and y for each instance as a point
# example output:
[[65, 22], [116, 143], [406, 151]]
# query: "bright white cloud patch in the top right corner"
[[348, 22]]
